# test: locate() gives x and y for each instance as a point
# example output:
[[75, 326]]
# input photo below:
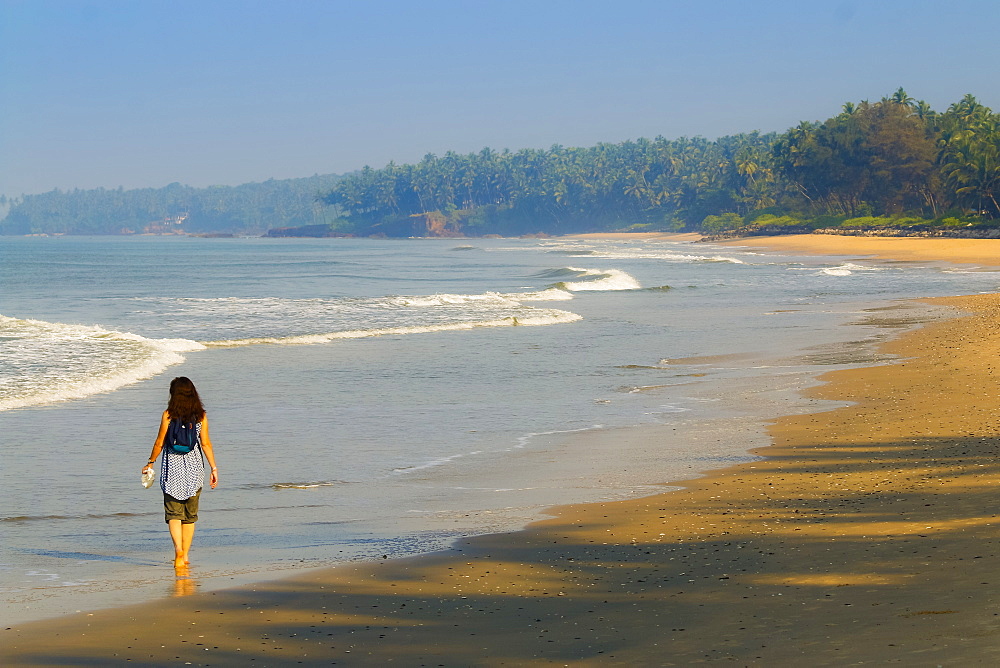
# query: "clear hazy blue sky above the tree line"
[[143, 93]]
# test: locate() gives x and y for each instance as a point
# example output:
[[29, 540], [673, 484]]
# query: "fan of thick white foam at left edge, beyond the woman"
[[46, 362]]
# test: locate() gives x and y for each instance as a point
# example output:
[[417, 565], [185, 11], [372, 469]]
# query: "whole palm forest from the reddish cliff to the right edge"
[[892, 163]]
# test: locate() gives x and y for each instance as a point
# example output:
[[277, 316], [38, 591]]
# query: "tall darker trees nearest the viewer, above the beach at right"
[[893, 158]]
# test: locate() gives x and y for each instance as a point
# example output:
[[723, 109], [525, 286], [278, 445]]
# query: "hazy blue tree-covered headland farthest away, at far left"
[[251, 208]]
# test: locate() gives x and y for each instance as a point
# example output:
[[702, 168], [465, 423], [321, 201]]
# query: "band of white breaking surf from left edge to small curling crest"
[[46, 362]]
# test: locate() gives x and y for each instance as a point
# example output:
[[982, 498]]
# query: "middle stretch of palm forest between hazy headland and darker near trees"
[[665, 184]]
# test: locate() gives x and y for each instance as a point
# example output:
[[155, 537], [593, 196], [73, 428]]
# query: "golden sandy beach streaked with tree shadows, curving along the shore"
[[870, 534]]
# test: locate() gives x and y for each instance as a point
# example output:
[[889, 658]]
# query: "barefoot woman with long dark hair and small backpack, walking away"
[[182, 475]]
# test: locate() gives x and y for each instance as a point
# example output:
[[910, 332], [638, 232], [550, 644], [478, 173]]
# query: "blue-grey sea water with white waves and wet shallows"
[[373, 399]]
